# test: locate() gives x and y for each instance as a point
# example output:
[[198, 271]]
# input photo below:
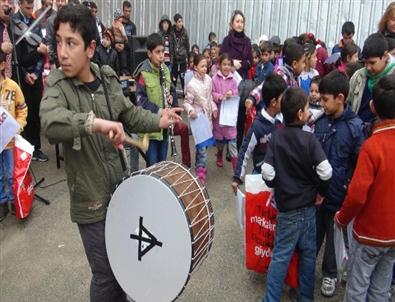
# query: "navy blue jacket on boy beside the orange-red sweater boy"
[[341, 140]]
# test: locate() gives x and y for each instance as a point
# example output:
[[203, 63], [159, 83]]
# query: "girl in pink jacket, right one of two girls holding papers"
[[224, 87]]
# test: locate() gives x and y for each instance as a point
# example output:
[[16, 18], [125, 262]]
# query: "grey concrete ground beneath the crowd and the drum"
[[42, 259]]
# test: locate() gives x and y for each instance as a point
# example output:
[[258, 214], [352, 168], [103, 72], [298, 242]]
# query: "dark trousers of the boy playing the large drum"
[[104, 287]]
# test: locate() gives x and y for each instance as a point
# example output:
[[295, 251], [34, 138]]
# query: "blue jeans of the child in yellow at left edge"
[[6, 175]]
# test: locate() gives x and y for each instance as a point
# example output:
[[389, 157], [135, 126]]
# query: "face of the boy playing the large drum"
[[73, 56]]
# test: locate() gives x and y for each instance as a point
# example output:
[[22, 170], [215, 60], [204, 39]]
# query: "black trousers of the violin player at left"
[[33, 95]]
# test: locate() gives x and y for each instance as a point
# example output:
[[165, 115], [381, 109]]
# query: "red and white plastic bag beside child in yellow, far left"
[[23, 184]]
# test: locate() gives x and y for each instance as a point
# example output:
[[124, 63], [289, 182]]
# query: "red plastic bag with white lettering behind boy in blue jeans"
[[260, 222]]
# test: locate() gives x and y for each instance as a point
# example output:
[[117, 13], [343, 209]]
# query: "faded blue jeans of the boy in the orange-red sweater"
[[370, 273]]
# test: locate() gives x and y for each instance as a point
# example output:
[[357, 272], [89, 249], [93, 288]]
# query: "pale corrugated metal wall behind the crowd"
[[284, 18]]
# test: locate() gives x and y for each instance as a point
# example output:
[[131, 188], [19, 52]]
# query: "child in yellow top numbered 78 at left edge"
[[12, 100]]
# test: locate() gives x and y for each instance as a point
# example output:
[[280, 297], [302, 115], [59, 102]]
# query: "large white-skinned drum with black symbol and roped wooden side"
[[159, 228]]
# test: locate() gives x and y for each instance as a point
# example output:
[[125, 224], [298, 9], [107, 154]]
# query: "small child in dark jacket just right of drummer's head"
[[105, 54]]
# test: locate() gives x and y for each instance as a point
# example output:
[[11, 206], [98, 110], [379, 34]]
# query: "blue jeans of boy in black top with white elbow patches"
[[295, 230]]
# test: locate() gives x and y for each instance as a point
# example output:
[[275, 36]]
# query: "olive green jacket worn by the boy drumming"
[[93, 166]]
